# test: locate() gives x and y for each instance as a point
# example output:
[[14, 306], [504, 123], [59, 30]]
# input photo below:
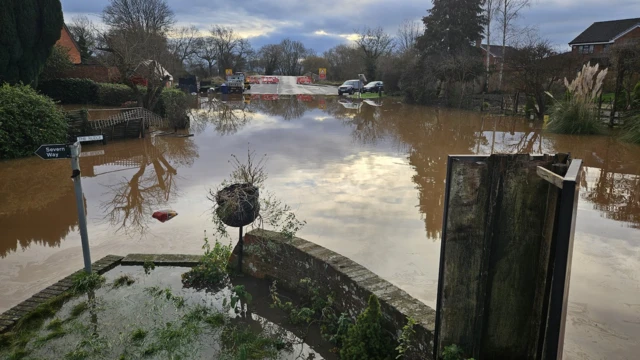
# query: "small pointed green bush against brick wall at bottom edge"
[[367, 338]]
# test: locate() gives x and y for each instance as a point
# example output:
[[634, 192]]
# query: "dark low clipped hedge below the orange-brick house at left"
[[70, 91]]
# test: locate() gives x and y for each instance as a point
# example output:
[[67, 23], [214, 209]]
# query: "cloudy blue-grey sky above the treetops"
[[326, 23]]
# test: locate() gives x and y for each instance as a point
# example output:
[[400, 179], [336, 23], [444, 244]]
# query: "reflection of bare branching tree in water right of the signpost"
[[132, 200]]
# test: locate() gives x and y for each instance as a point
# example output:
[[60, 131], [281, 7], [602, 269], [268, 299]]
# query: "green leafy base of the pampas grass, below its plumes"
[[571, 117]]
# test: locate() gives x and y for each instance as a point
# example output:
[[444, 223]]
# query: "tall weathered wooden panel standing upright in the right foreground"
[[506, 255]]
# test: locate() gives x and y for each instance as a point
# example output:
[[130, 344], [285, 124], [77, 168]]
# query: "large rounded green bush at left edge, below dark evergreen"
[[28, 120]]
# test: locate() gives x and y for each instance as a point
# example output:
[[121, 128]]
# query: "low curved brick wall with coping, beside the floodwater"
[[270, 255]]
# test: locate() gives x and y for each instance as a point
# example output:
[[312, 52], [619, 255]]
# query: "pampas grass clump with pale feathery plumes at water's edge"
[[577, 114]]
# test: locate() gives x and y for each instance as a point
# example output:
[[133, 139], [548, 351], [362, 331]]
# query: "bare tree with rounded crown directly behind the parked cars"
[[373, 42]]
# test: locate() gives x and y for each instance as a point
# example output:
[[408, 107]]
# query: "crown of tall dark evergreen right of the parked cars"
[[452, 26]]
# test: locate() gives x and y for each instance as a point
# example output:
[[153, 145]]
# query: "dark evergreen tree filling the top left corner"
[[28, 31]]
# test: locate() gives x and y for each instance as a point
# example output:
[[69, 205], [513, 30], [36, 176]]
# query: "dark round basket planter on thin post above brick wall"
[[238, 204]]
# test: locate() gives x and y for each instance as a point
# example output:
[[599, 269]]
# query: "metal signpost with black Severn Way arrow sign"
[[64, 151]]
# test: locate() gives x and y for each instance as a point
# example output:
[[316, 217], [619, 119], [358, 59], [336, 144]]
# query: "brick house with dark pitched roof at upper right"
[[597, 38]]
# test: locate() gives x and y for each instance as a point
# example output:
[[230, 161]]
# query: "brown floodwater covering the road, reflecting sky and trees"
[[367, 177]]
